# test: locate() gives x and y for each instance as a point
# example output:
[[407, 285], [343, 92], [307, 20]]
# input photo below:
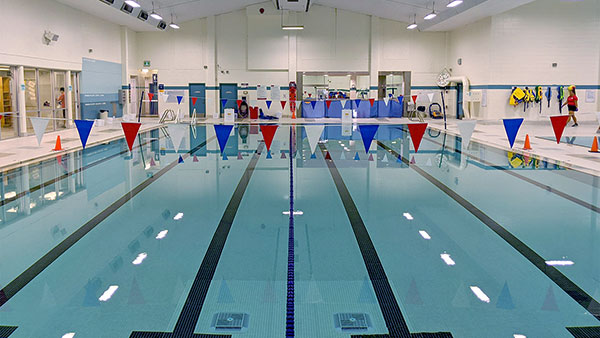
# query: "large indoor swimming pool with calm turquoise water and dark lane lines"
[[446, 242]]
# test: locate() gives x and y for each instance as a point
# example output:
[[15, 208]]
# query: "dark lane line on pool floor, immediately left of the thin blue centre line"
[[190, 313]]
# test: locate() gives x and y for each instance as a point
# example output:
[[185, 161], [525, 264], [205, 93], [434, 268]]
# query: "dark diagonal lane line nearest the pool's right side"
[[568, 286]]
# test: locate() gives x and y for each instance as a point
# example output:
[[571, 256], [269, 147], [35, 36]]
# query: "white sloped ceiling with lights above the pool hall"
[[400, 10]]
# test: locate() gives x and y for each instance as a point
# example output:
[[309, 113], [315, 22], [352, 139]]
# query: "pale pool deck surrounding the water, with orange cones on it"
[[19, 151]]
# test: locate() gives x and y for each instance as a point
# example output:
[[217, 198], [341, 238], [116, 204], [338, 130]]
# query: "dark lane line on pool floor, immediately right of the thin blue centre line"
[[392, 315]]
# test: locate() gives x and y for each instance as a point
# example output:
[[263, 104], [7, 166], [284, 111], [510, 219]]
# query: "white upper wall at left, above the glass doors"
[[24, 22]]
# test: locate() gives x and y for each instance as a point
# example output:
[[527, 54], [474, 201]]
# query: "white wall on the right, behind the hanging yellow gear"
[[519, 46]]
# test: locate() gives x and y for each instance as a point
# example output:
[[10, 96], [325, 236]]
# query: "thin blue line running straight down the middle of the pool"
[[289, 316]]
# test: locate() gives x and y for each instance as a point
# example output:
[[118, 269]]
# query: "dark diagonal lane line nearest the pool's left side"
[[28, 275]]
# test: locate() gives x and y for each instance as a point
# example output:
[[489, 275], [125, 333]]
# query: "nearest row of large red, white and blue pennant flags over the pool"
[[313, 132]]
